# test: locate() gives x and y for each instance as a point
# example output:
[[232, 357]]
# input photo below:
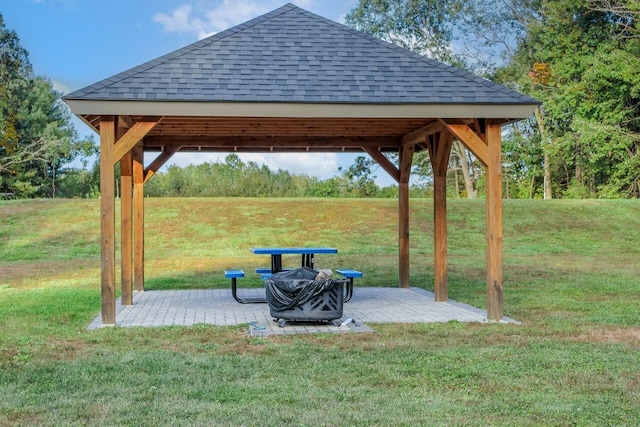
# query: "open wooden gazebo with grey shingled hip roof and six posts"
[[292, 81]]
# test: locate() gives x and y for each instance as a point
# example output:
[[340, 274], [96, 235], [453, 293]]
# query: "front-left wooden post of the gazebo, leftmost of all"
[[107, 221]]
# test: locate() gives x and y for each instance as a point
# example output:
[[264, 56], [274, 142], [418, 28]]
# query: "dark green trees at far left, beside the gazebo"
[[36, 134]]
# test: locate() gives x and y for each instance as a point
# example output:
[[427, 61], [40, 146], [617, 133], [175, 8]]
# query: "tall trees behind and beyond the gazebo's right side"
[[581, 58]]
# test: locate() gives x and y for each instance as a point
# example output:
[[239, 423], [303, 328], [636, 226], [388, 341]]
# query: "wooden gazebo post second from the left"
[[126, 230]]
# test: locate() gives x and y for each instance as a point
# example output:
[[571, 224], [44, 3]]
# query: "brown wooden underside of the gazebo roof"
[[257, 134]]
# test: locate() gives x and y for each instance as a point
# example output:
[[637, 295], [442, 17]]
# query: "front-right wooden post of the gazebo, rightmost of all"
[[494, 221]]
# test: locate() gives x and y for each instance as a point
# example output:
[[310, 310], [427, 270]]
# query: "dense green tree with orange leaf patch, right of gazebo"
[[574, 60]]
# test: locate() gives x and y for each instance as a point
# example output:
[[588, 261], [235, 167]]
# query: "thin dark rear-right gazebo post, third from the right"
[[406, 159]]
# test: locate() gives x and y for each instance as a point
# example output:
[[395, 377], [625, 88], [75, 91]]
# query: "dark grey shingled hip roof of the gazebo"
[[290, 55]]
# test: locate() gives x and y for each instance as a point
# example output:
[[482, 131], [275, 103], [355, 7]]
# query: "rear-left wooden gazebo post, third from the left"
[[138, 217]]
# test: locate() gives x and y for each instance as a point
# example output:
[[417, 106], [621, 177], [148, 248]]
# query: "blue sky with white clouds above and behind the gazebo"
[[75, 43]]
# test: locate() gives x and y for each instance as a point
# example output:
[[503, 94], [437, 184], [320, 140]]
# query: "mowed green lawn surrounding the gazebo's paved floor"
[[572, 277]]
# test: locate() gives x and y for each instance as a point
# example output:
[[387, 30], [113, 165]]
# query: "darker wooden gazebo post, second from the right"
[[440, 153]]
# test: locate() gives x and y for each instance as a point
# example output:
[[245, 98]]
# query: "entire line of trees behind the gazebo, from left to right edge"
[[581, 58]]
